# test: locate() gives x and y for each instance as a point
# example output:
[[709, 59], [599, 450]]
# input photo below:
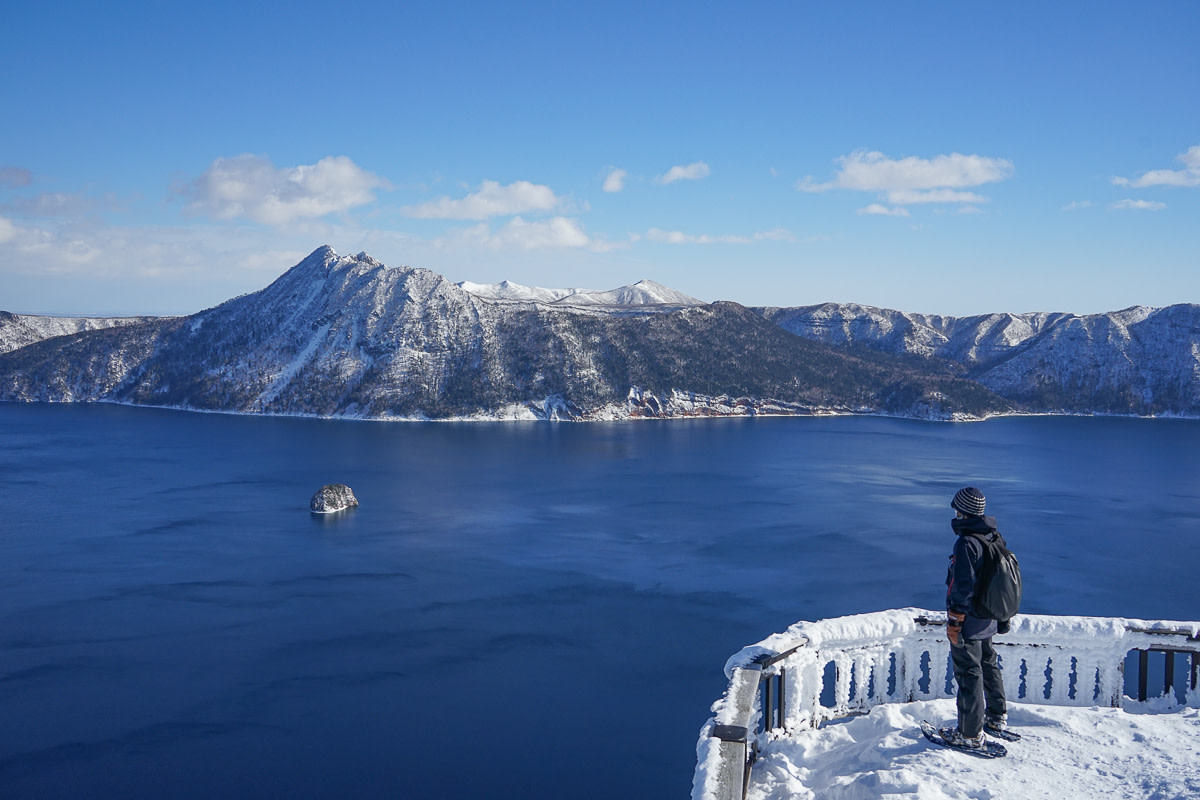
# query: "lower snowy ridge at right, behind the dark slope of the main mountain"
[[1135, 362]]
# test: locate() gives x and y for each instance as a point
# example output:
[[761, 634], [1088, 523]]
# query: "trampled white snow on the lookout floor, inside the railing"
[[1065, 753]]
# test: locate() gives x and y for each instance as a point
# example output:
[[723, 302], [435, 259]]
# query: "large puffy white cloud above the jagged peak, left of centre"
[[253, 188]]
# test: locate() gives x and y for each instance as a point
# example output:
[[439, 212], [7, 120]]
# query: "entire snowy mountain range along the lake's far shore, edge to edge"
[[350, 336]]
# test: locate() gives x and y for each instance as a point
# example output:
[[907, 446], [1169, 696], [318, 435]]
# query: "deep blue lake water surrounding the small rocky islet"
[[515, 610]]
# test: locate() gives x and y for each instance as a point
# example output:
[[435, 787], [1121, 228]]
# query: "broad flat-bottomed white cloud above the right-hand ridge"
[[905, 182]]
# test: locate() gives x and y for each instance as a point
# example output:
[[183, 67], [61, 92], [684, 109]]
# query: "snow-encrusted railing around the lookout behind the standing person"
[[832, 669]]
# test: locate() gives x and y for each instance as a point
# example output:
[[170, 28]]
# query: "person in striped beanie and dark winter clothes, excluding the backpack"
[[981, 702]]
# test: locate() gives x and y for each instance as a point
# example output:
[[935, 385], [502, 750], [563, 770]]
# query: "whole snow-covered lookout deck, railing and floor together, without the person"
[[832, 709]]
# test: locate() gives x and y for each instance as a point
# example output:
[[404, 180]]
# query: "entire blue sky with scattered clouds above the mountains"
[[952, 159]]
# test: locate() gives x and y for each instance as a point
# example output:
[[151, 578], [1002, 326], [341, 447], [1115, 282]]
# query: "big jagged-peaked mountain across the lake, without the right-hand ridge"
[[349, 336]]
